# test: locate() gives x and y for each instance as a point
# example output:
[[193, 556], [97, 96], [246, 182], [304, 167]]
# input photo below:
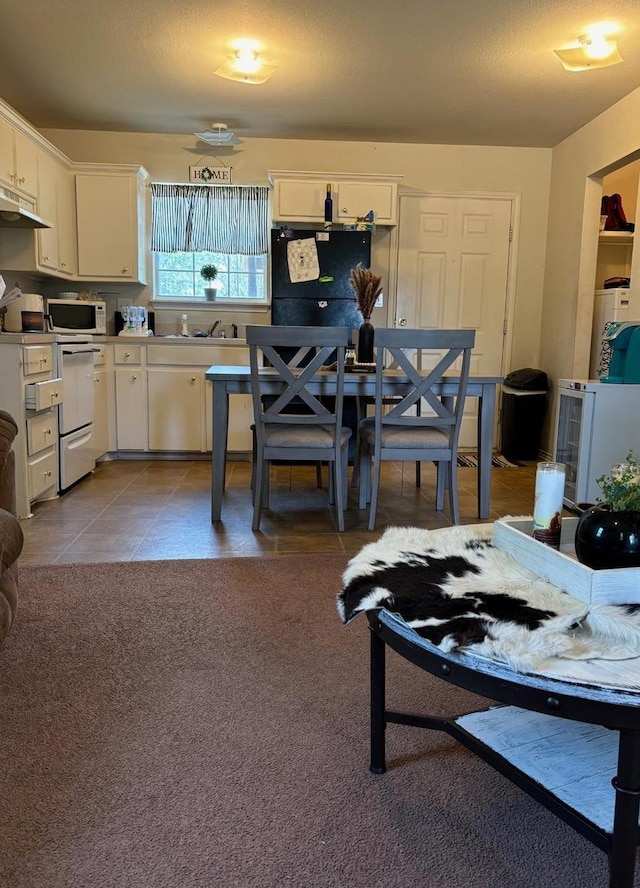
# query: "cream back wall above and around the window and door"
[[424, 167]]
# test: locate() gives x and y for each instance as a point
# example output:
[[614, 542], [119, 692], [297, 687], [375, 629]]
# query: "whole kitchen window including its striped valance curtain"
[[196, 225]]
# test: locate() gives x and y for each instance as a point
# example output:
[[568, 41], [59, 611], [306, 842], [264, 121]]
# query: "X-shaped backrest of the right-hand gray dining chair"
[[392, 350]]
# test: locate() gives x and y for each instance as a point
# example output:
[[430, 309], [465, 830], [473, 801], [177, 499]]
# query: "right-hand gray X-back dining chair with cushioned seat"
[[421, 425]]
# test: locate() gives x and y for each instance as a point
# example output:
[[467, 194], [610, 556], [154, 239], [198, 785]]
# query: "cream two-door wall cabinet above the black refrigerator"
[[300, 197]]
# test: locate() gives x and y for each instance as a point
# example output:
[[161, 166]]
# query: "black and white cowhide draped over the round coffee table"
[[456, 590]]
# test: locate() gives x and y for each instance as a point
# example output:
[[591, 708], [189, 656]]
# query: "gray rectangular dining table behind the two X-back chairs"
[[234, 380]]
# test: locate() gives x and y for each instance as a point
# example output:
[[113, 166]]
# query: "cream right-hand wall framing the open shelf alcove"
[[579, 163]]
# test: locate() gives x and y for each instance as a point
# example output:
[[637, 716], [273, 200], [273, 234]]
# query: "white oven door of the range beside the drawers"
[[75, 363]]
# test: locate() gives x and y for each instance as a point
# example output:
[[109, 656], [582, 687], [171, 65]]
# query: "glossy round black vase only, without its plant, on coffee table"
[[606, 539]]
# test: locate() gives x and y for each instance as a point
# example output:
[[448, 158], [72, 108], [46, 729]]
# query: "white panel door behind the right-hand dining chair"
[[453, 265]]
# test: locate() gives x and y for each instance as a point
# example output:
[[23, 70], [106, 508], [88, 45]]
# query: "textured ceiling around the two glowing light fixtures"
[[455, 72]]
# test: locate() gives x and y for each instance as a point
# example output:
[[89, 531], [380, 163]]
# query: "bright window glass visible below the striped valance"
[[239, 277]]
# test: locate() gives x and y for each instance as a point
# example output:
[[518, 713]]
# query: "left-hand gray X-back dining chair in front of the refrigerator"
[[282, 431]]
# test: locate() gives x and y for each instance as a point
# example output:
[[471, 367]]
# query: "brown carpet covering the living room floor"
[[205, 723]]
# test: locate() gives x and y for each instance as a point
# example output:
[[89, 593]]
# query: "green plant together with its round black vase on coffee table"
[[608, 534]]
